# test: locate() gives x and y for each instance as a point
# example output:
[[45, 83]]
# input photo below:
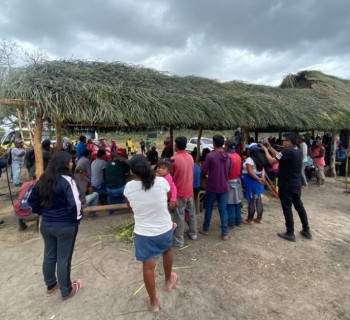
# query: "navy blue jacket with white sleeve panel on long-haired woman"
[[65, 209]]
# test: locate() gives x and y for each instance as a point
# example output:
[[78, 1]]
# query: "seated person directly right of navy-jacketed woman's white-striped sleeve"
[[87, 196]]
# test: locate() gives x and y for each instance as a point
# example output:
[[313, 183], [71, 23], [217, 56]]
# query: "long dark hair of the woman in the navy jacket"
[[45, 187]]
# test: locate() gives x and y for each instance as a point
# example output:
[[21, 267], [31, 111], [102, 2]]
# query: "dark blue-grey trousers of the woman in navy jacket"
[[59, 246]]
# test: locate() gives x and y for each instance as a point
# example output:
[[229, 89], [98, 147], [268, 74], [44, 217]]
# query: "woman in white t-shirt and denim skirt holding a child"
[[147, 195]]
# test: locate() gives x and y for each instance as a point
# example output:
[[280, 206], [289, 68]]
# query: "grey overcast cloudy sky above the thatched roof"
[[257, 41]]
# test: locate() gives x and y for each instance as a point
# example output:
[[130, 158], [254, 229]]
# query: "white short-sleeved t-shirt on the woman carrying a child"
[[150, 207]]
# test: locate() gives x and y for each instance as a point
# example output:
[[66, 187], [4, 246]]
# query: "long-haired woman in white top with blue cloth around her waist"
[[254, 181]]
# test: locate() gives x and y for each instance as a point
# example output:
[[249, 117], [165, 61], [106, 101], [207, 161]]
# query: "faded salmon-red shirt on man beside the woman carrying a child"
[[183, 174]]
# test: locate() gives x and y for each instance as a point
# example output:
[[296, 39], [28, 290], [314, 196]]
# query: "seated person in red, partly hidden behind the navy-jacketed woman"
[[22, 210]]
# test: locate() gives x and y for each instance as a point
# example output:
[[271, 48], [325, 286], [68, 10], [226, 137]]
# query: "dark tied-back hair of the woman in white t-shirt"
[[141, 168]]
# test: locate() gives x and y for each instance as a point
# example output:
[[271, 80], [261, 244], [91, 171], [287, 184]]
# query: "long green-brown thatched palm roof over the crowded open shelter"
[[116, 94]]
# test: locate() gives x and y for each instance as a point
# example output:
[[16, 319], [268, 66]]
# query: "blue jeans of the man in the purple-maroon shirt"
[[209, 204]]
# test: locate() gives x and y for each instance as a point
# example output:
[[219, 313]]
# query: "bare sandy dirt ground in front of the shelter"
[[254, 275]]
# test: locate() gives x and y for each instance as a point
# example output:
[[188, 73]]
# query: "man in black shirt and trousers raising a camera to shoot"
[[289, 183]]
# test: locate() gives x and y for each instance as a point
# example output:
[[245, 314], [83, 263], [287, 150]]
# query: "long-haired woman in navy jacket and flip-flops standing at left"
[[56, 198]]
